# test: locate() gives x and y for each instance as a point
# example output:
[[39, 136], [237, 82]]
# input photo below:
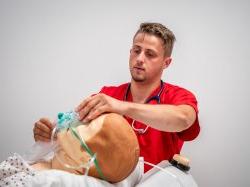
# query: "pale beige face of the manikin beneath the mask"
[[70, 151]]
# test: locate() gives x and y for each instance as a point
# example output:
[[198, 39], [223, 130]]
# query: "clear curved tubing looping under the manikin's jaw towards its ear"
[[86, 166]]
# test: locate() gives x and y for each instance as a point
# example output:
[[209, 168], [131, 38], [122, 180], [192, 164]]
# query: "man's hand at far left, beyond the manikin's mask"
[[43, 129]]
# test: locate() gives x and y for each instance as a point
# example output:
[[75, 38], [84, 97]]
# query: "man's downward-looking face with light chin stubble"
[[147, 60]]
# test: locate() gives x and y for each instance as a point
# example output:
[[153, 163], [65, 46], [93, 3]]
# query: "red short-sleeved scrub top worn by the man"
[[156, 145]]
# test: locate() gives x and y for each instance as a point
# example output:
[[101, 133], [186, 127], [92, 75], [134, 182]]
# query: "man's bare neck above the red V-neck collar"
[[140, 91]]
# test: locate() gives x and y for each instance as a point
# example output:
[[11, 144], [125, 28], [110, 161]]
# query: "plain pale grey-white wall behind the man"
[[55, 53]]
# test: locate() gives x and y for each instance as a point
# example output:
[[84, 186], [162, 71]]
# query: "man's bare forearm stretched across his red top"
[[169, 118]]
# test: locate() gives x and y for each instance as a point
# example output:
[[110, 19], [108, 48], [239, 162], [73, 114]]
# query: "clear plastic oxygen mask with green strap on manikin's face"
[[65, 133]]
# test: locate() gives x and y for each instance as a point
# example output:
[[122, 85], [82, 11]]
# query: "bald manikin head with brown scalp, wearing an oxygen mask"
[[106, 148]]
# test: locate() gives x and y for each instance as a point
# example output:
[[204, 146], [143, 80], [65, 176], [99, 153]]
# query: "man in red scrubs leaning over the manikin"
[[162, 115]]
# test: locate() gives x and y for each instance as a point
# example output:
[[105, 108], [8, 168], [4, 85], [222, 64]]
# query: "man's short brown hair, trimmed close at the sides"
[[160, 31]]
